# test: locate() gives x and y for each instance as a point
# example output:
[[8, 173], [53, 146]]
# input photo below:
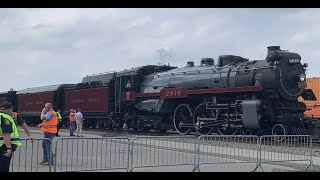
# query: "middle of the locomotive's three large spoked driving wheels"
[[202, 112]]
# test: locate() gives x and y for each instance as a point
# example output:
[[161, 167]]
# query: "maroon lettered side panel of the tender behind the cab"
[[88, 100]]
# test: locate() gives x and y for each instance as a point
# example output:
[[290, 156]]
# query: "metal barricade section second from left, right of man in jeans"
[[91, 154]]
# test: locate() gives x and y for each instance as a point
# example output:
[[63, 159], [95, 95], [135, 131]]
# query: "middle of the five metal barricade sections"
[[158, 151]]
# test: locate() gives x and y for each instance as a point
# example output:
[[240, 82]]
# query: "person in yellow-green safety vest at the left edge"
[[9, 136]]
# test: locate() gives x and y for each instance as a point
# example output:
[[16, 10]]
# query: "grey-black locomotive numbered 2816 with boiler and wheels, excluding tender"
[[233, 95]]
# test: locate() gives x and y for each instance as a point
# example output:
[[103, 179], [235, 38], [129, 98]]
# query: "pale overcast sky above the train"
[[41, 47]]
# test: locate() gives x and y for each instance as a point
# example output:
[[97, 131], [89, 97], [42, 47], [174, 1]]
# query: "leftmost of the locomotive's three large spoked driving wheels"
[[182, 118]]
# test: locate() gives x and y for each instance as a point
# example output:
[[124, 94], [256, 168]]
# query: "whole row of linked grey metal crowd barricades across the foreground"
[[112, 153]]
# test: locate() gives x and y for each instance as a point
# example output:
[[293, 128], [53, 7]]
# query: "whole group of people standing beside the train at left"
[[51, 123]]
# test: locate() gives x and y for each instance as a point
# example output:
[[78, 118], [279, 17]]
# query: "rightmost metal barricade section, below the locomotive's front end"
[[285, 148]]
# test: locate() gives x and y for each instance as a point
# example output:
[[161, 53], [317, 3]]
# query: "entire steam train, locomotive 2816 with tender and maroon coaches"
[[234, 95]]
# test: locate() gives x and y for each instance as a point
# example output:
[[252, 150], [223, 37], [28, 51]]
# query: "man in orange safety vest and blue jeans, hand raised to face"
[[49, 128]]
